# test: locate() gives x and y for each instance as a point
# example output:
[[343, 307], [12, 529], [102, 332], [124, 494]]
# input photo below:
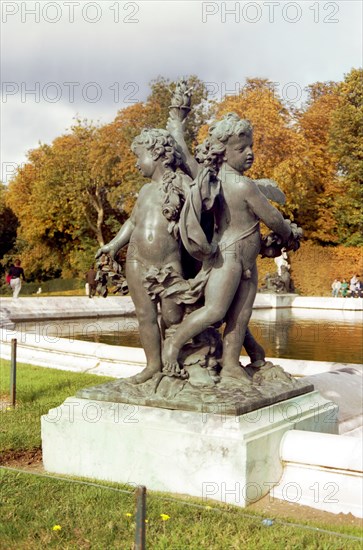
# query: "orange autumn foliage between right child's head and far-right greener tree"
[[292, 147]]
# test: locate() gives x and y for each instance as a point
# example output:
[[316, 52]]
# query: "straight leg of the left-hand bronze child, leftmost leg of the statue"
[[146, 313]]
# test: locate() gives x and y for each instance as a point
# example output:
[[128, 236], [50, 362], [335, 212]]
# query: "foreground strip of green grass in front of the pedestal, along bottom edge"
[[97, 517]]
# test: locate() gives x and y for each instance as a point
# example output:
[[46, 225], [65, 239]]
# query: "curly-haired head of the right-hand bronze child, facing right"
[[230, 140]]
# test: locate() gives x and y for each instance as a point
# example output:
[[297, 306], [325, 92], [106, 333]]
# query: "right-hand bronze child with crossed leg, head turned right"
[[232, 284]]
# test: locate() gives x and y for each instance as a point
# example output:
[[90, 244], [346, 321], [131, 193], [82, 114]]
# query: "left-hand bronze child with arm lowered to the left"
[[149, 234]]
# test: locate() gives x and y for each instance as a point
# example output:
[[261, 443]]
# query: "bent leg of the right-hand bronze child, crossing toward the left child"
[[219, 292]]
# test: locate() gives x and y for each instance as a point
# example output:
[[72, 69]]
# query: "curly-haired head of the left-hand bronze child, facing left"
[[154, 147]]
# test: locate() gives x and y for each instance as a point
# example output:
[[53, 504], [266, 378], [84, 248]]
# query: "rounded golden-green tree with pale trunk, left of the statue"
[[60, 198]]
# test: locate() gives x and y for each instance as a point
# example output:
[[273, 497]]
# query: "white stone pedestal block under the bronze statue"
[[233, 459]]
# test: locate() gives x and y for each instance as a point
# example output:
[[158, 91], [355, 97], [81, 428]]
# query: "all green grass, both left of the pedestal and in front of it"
[[102, 515]]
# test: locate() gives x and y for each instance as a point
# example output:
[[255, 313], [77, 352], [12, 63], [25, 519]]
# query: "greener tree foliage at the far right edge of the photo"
[[346, 143]]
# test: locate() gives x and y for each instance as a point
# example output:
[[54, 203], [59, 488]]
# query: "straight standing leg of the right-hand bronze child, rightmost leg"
[[237, 320]]
